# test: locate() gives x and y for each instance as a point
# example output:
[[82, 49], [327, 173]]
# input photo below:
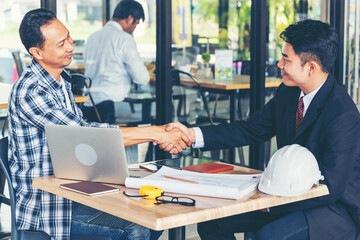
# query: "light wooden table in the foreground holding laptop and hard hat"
[[172, 216]]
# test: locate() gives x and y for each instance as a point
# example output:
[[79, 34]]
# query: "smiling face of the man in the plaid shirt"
[[58, 45]]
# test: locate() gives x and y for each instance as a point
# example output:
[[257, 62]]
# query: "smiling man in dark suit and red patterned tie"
[[328, 125]]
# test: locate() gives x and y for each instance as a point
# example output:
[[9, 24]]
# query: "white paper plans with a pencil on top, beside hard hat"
[[233, 186]]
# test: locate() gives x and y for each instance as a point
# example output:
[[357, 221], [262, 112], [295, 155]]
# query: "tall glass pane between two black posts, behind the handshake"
[[202, 30]]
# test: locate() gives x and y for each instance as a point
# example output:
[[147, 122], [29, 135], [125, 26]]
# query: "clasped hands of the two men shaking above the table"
[[174, 139]]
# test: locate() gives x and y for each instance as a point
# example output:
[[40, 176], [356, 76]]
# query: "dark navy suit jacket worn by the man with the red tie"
[[331, 131]]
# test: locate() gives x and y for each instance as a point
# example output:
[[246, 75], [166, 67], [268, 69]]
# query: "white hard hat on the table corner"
[[291, 171]]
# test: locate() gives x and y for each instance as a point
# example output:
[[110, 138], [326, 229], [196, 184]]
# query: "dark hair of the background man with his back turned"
[[125, 8]]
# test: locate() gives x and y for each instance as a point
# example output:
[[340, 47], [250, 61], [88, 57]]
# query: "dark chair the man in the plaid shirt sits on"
[[21, 234]]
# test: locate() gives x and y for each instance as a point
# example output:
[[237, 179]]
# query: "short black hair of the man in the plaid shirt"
[[30, 33]]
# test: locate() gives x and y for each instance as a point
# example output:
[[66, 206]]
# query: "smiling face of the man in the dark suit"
[[291, 70]]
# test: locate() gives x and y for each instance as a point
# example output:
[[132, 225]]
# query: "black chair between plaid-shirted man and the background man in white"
[[80, 85]]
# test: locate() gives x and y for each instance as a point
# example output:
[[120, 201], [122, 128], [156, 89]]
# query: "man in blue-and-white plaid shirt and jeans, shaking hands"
[[42, 95]]
